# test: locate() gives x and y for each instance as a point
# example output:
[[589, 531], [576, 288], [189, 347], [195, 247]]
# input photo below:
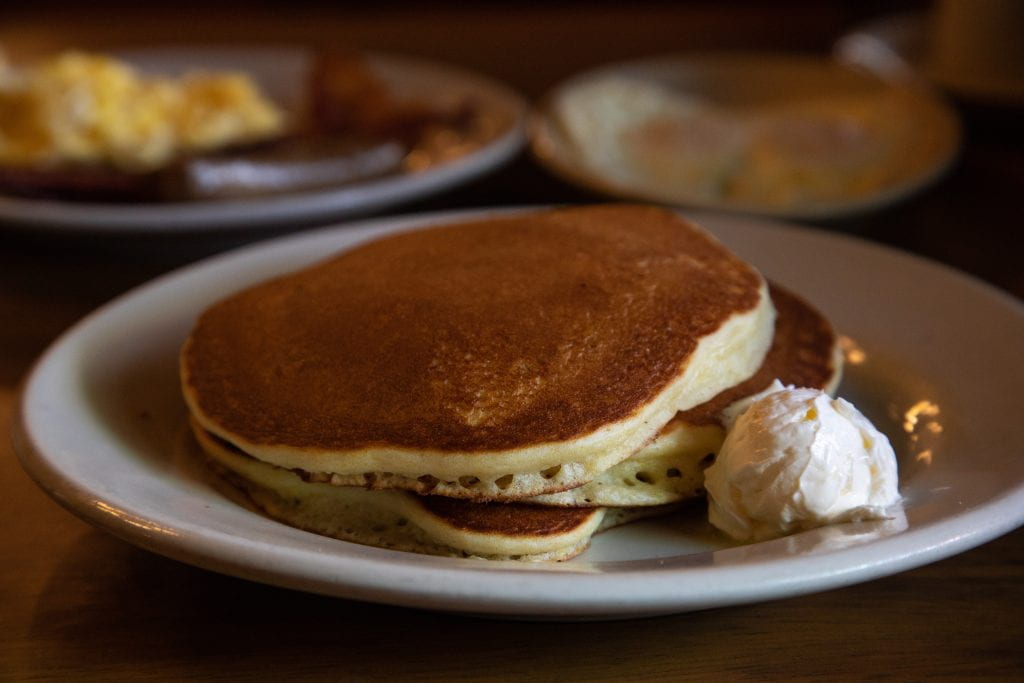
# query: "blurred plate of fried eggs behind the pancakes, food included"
[[771, 135]]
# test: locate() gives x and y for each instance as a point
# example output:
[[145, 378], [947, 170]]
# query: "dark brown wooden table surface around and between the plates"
[[77, 604]]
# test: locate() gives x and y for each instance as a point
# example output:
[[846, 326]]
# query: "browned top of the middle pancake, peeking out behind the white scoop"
[[801, 355]]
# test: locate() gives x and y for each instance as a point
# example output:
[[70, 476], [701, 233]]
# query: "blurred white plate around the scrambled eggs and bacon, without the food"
[[280, 72]]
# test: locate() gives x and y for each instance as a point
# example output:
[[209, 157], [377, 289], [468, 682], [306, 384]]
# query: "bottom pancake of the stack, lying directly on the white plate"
[[402, 521]]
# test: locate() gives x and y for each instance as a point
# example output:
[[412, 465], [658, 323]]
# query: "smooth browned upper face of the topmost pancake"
[[489, 335]]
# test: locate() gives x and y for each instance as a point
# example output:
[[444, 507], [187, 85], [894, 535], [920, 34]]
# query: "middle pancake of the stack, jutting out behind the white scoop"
[[805, 353]]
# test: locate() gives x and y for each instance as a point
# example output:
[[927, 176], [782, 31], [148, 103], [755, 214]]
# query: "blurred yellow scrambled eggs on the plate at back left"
[[79, 108]]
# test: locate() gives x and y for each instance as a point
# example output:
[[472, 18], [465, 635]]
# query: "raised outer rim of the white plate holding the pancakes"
[[403, 579]]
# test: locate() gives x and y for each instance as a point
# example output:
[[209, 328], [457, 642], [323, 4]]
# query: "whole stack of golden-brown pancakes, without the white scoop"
[[502, 389]]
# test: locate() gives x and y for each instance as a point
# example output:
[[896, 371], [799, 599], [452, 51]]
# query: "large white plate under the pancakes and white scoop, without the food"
[[933, 358]]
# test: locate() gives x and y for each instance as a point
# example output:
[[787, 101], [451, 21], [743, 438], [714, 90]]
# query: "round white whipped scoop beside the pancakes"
[[797, 459]]
